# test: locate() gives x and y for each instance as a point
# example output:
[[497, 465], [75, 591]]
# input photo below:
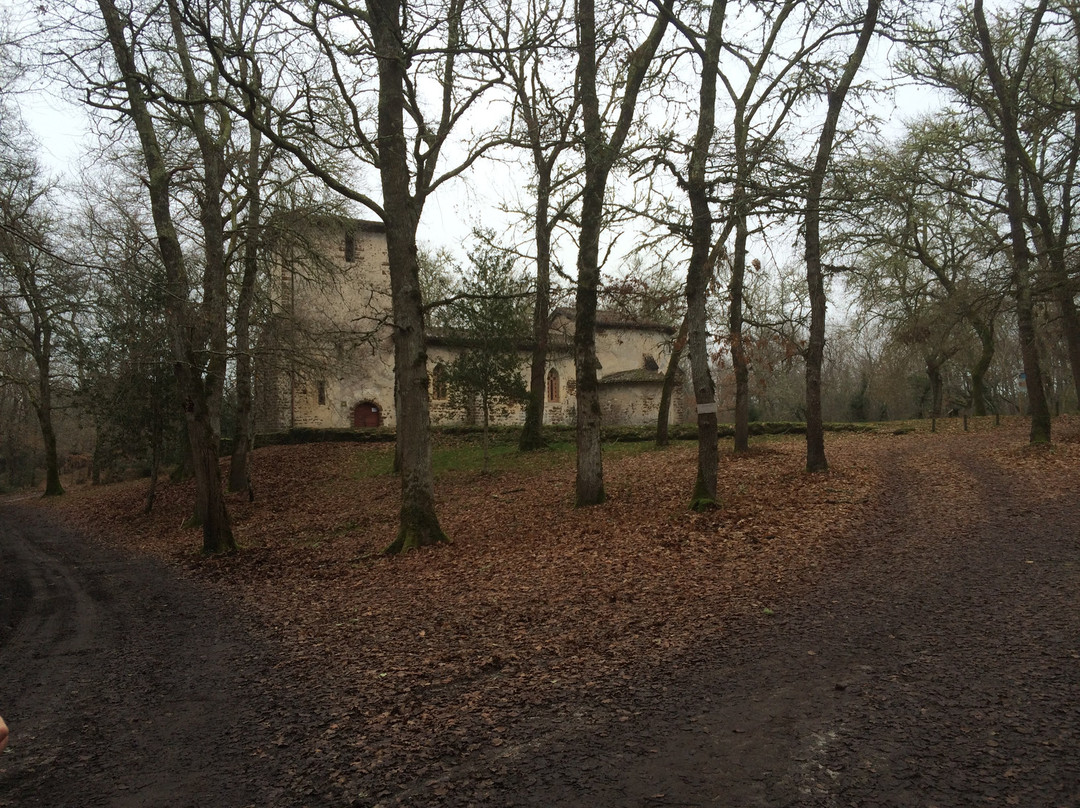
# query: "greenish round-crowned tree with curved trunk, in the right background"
[[920, 199]]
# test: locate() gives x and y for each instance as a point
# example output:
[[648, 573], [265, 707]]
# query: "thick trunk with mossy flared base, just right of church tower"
[[420, 526]]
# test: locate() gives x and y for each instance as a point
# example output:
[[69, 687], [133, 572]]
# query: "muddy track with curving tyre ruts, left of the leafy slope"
[[126, 686]]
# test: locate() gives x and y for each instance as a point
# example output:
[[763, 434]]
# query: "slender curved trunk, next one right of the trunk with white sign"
[[816, 278]]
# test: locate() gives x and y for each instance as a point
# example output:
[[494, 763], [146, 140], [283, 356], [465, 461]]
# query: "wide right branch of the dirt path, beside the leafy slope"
[[940, 668]]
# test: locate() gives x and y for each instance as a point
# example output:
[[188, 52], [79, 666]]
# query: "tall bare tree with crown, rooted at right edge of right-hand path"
[[1009, 75]]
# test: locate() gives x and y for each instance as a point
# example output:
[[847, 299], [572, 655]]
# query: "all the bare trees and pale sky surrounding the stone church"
[[736, 171]]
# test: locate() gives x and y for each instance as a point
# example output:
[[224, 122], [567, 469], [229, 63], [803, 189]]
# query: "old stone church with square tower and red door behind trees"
[[326, 359]]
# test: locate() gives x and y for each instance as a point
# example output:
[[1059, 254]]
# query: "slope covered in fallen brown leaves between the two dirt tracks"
[[535, 605]]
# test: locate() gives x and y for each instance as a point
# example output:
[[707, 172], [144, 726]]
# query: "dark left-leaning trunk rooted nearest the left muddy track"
[[218, 530]]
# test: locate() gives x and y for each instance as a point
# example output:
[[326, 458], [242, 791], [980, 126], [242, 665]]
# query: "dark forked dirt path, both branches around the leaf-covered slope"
[[938, 666]]
